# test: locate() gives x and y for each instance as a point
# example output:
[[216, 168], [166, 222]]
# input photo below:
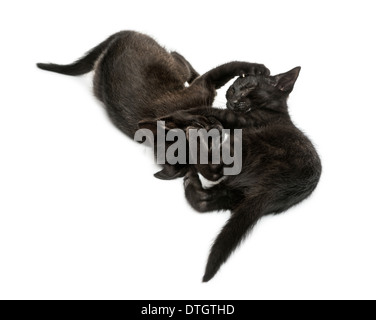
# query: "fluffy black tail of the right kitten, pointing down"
[[241, 221]]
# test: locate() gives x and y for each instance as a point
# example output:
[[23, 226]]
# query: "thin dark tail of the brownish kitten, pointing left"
[[81, 66]]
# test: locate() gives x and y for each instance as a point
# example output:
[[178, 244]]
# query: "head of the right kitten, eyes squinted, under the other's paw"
[[257, 91]]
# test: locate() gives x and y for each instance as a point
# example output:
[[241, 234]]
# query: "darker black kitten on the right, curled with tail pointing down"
[[280, 165]]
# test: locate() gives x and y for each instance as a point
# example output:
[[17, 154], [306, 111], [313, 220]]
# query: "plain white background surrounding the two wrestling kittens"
[[81, 215]]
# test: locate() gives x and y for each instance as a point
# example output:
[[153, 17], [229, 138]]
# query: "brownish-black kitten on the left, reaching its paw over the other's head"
[[137, 79]]
